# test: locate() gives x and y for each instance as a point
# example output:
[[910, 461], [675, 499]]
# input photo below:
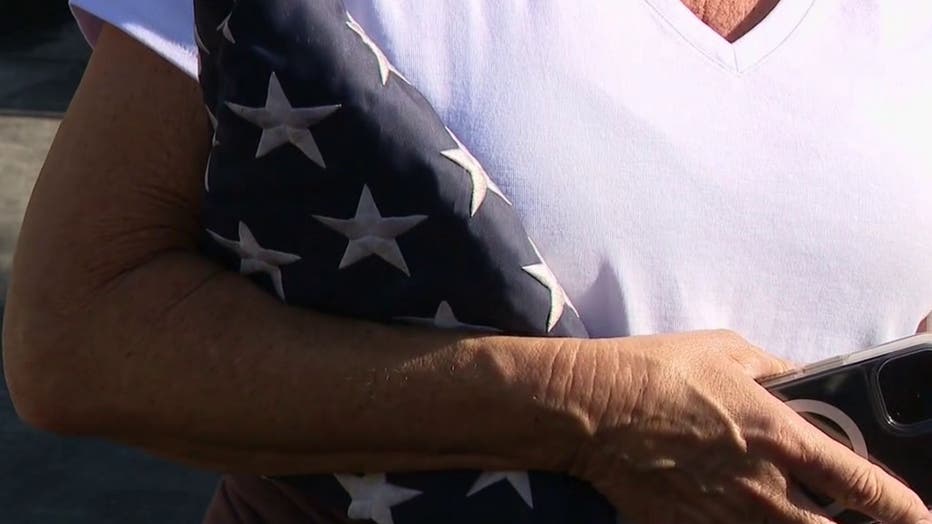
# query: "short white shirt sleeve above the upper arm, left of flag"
[[165, 26]]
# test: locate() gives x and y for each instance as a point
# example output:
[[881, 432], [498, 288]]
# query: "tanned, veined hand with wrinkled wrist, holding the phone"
[[683, 433]]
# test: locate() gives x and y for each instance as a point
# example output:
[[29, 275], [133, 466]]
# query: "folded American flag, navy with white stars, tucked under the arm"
[[334, 185]]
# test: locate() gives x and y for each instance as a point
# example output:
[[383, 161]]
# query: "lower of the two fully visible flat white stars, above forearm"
[[370, 233]]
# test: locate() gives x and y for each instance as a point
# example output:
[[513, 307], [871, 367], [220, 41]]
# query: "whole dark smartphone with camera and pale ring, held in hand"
[[879, 403]]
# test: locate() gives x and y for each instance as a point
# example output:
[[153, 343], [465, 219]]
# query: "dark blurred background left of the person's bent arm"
[[43, 478]]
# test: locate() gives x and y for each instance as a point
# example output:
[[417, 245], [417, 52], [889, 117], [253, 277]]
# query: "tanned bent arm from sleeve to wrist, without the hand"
[[117, 327]]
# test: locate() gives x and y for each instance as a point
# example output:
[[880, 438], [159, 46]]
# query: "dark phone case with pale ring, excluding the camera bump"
[[842, 398]]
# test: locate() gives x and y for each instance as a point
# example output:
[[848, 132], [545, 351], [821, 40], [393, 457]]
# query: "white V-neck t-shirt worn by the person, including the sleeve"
[[780, 186]]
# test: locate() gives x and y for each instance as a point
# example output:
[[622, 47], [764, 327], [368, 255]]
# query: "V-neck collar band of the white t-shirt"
[[747, 51]]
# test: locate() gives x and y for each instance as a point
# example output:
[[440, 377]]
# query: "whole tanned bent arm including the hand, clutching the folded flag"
[[117, 328]]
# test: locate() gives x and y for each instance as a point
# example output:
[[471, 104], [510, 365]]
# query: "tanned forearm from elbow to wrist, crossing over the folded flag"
[[208, 361]]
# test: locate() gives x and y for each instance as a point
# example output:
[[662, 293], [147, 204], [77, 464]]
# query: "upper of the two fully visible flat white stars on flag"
[[282, 123]]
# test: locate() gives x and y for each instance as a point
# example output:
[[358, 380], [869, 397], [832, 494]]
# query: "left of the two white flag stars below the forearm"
[[372, 497]]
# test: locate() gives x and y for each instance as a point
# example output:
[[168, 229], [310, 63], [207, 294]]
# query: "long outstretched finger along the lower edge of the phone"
[[828, 467]]
